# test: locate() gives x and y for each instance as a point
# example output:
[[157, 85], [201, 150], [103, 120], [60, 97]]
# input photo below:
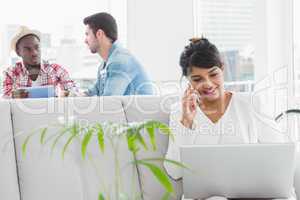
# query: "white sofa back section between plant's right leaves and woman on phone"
[[142, 108]]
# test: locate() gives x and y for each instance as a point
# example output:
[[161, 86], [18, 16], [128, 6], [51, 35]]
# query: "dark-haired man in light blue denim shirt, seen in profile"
[[120, 73]]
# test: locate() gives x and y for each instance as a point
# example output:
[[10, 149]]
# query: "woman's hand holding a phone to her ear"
[[190, 101]]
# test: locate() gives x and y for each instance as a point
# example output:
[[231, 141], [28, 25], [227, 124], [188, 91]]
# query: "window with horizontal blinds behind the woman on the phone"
[[229, 25]]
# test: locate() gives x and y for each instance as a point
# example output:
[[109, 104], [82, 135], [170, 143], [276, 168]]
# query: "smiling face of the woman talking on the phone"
[[208, 82]]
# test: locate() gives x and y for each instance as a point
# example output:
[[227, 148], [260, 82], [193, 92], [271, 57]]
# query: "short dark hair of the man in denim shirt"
[[105, 22]]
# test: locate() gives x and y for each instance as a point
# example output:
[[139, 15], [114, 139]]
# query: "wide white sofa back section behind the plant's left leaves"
[[46, 176]]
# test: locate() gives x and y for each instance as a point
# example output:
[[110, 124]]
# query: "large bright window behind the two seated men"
[[62, 31]]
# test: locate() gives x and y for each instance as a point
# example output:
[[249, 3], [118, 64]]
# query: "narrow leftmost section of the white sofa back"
[[9, 188]]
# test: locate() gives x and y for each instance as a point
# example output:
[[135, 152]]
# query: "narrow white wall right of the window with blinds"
[[273, 36]]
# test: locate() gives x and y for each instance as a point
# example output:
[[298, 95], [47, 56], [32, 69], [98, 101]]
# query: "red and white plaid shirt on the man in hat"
[[50, 74]]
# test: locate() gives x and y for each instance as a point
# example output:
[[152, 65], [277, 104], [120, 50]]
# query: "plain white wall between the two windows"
[[157, 33]]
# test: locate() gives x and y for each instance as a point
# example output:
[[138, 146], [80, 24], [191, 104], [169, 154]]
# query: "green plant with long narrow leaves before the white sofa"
[[109, 134]]
